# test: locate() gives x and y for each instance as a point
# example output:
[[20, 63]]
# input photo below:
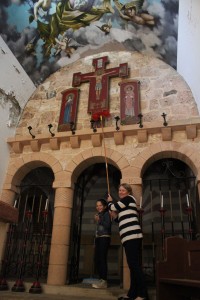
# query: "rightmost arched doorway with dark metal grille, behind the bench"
[[170, 202]]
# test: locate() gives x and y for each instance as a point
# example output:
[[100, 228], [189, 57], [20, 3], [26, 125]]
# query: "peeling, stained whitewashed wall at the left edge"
[[15, 90]]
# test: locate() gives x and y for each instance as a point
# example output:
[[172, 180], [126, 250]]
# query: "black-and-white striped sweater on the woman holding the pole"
[[129, 227]]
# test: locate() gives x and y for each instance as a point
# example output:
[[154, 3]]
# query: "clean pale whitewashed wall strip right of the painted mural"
[[188, 63]]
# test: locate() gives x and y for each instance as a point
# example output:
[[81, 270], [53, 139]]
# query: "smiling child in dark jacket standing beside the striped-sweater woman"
[[102, 241]]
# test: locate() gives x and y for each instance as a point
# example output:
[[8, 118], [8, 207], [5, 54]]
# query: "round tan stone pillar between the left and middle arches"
[[59, 253]]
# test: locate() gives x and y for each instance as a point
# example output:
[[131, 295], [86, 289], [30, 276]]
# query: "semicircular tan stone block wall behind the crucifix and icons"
[[162, 89]]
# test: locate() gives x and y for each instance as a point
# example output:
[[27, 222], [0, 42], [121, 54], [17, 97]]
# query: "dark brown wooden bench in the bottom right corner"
[[178, 276]]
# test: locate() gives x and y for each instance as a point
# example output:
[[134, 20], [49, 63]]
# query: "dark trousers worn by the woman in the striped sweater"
[[138, 285]]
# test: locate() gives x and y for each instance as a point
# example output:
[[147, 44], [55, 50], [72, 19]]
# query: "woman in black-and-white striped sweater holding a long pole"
[[131, 238]]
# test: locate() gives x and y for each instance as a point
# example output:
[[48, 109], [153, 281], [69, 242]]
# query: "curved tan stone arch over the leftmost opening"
[[19, 167]]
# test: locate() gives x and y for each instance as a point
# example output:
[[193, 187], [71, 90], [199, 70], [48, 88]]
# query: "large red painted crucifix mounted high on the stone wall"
[[99, 83]]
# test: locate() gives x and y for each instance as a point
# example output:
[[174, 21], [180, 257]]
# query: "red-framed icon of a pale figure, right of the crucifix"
[[129, 101]]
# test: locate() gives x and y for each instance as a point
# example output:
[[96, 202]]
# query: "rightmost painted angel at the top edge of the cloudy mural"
[[132, 11]]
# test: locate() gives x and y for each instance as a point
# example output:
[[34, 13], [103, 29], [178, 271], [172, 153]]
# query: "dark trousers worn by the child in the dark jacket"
[[101, 251]]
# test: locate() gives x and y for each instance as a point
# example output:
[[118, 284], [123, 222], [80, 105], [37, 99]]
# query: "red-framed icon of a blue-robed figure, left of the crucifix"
[[68, 110]]
